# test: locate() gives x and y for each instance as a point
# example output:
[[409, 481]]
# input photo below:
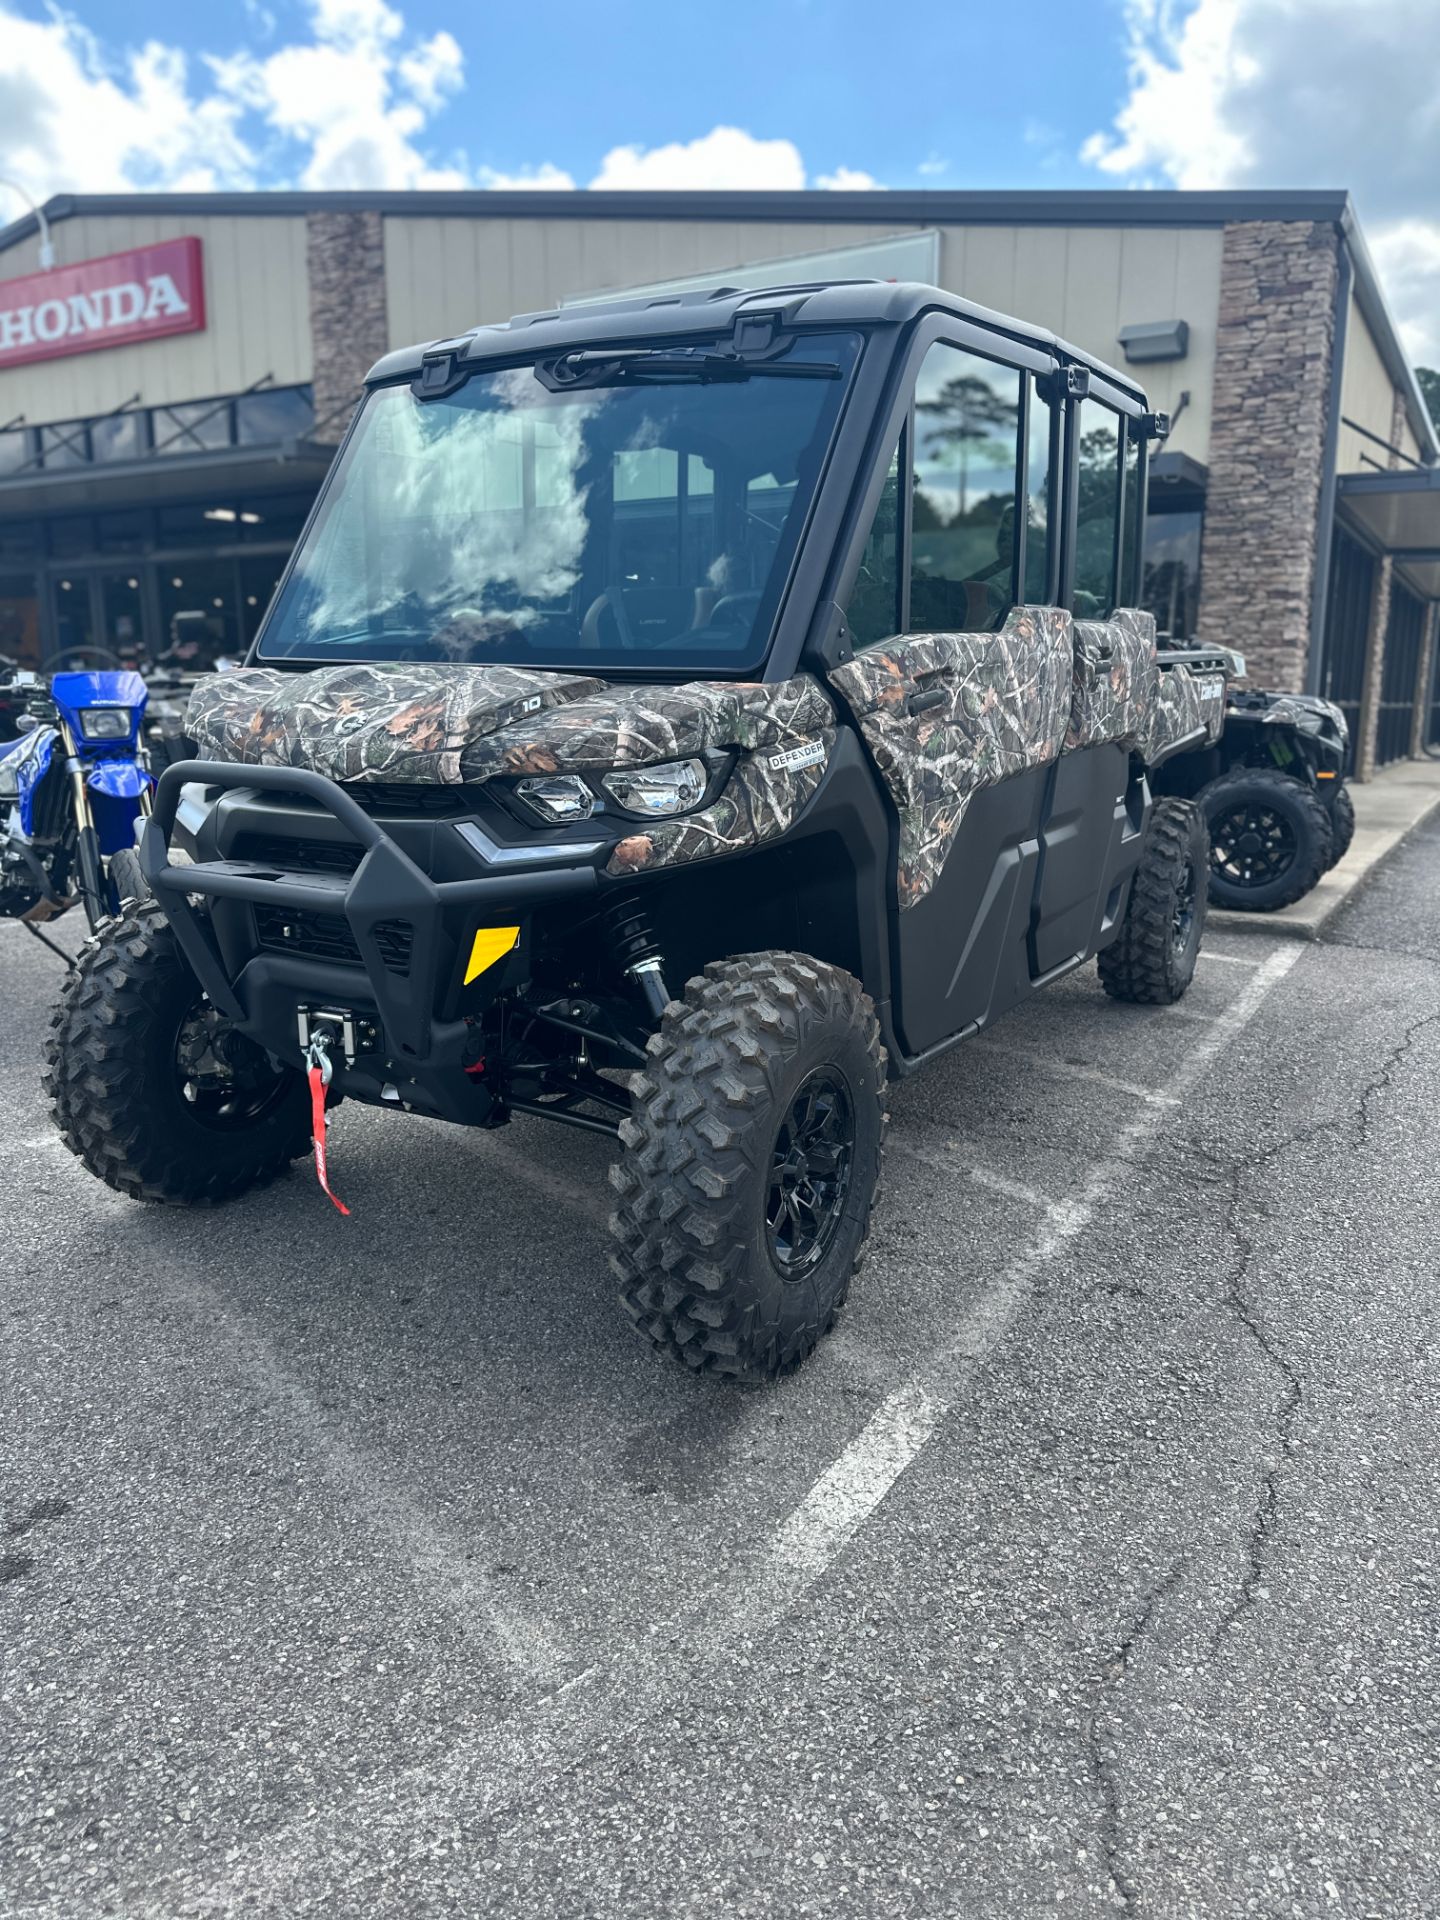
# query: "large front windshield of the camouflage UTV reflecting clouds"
[[646, 516]]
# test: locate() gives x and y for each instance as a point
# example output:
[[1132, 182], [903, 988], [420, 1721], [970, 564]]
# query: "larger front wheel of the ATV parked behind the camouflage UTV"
[[1270, 840]]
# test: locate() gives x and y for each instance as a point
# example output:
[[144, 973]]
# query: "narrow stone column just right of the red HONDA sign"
[[345, 254]]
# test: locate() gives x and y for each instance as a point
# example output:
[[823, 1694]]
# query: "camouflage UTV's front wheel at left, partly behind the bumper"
[[151, 1088]]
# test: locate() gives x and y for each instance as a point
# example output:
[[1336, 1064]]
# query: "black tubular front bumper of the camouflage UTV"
[[400, 936]]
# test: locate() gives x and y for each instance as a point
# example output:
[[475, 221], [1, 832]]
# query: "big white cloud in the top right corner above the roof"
[[1297, 93]]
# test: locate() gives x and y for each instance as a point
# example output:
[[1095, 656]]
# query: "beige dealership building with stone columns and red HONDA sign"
[[178, 370]]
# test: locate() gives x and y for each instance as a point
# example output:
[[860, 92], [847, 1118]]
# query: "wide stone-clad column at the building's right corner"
[[1274, 358]]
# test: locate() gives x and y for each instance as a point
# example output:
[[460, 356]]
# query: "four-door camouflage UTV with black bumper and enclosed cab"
[[675, 723]]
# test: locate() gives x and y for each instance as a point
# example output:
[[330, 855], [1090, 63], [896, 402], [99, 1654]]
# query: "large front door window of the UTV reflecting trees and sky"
[[963, 517]]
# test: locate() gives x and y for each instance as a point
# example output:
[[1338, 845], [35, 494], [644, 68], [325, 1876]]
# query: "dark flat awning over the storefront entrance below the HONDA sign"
[[170, 477]]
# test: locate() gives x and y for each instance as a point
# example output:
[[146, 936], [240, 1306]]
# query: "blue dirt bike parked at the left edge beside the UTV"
[[72, 790]]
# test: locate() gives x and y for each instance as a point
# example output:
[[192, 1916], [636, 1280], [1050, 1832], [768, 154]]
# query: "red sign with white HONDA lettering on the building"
[[145, 295]]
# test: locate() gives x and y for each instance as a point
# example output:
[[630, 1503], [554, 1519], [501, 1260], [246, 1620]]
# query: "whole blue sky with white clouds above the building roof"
[[790, 93]]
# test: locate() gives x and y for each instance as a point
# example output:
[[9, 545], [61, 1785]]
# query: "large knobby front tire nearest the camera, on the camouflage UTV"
[[752, 1164]]
